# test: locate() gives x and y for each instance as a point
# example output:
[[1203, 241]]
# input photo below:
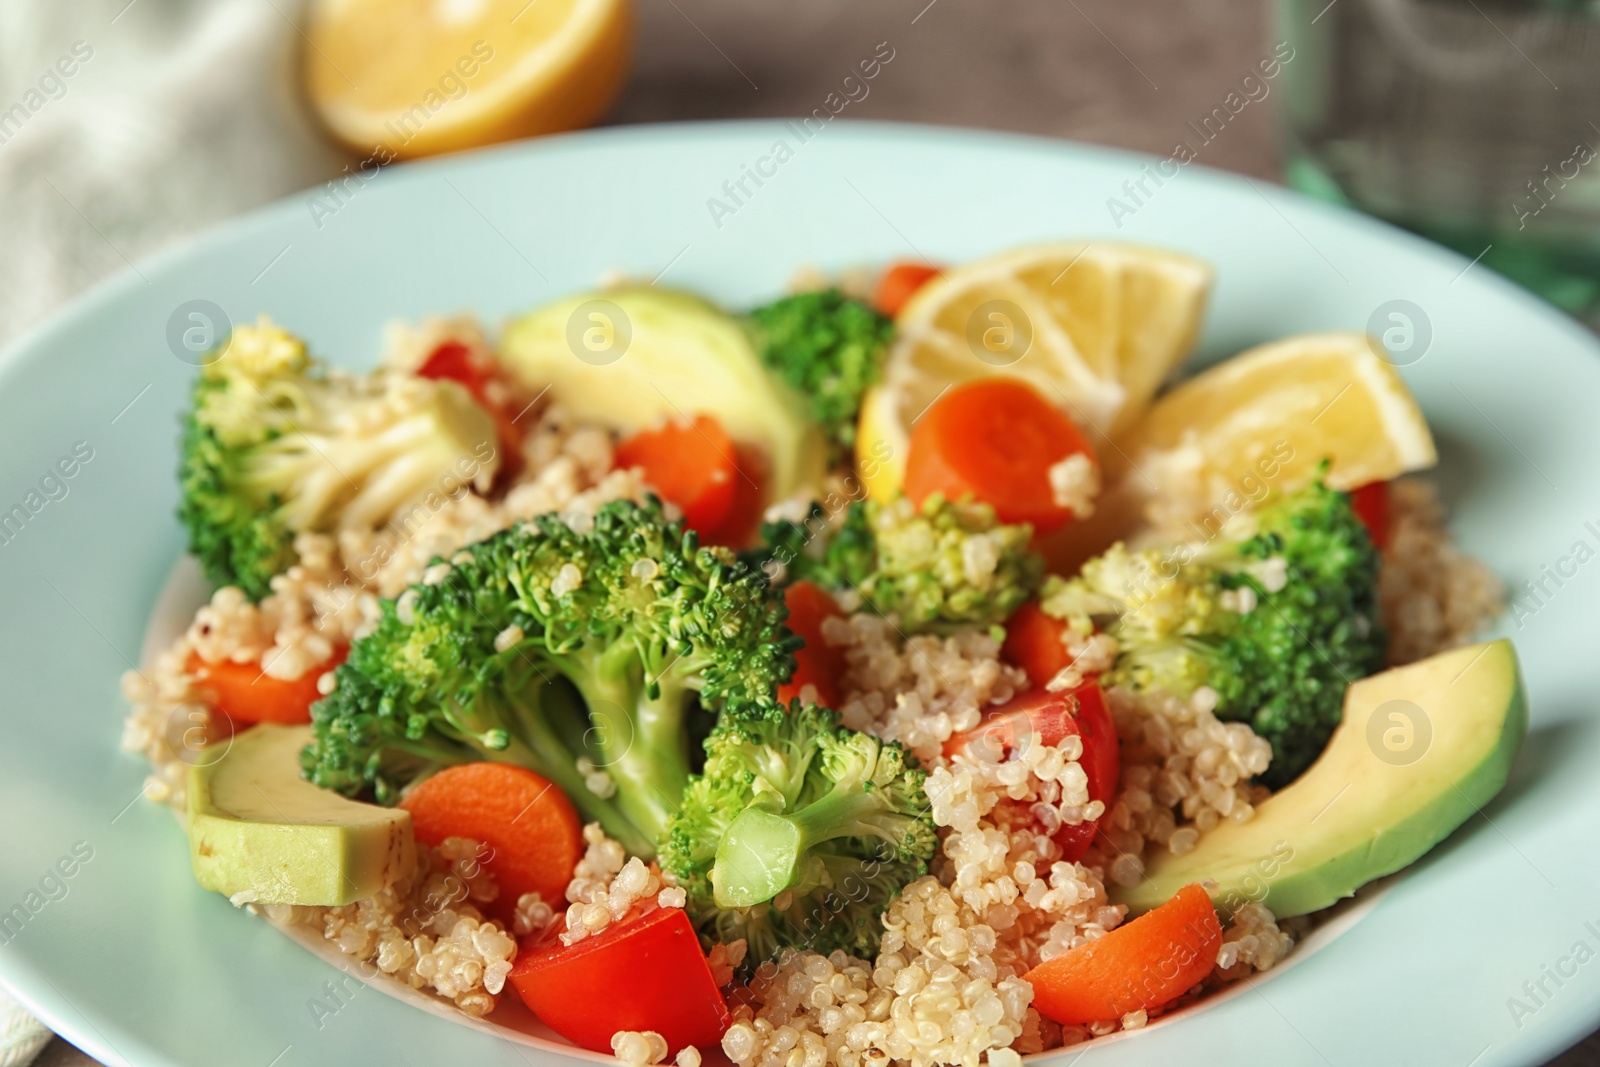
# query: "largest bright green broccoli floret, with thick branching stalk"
[[543, 647]]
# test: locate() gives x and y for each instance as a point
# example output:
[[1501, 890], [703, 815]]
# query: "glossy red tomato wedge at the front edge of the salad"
[[646, 973]]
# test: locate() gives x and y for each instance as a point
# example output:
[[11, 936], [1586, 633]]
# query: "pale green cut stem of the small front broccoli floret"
[[764, 853]]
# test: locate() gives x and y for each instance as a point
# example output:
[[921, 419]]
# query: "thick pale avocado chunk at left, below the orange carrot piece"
[[258, 828]]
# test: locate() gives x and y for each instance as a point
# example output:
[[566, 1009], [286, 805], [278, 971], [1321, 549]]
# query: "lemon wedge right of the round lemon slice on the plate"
[[1265, 420]]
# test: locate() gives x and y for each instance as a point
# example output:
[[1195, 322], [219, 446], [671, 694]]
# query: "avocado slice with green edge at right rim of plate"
[[1418, 753]]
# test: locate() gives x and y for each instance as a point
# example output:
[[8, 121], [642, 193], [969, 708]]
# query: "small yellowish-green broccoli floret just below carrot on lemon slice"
[[938, 567]]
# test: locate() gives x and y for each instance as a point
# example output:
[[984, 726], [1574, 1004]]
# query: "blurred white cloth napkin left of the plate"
[[122, 127]]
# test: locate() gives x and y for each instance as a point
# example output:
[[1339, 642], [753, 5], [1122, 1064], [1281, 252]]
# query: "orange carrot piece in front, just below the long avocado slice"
[[1146, 964]]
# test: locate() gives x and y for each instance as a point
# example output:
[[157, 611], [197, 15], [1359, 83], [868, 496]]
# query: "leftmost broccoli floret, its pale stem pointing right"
[[276, 444]]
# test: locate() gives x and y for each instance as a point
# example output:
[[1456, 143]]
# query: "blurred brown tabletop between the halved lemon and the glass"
[[1119, 73]]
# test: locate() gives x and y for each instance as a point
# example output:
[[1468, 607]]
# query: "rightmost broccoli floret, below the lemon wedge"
[[1278, 617]]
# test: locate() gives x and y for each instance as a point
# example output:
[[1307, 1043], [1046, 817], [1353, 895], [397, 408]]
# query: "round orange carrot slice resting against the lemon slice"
[[994, 441]]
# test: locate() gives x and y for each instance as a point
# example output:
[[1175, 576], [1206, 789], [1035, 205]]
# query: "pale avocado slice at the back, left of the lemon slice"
[[631, 359]]
